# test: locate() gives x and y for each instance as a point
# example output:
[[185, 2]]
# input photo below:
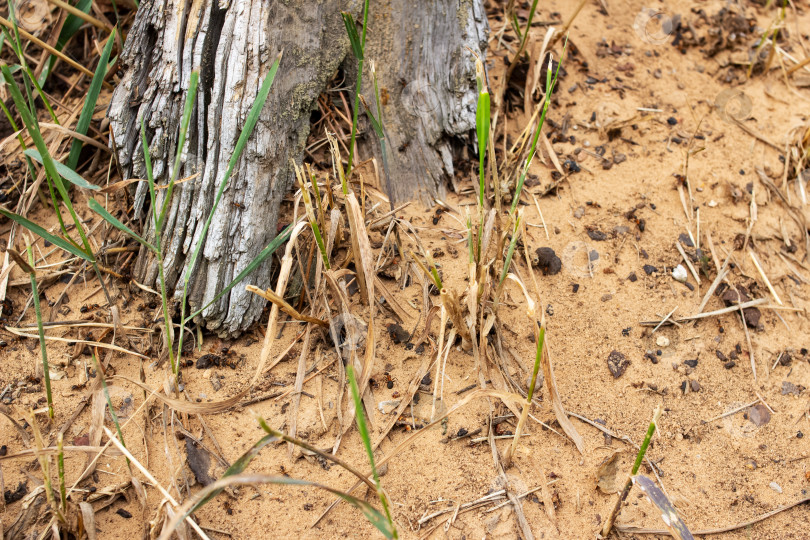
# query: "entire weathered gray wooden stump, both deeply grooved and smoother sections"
[[232, 44]]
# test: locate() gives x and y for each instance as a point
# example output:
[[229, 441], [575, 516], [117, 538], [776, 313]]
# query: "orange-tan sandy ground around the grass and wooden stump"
[[633, 105]]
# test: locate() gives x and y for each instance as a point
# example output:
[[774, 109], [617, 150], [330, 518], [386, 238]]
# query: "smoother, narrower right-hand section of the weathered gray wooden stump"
[[422, 53]]
